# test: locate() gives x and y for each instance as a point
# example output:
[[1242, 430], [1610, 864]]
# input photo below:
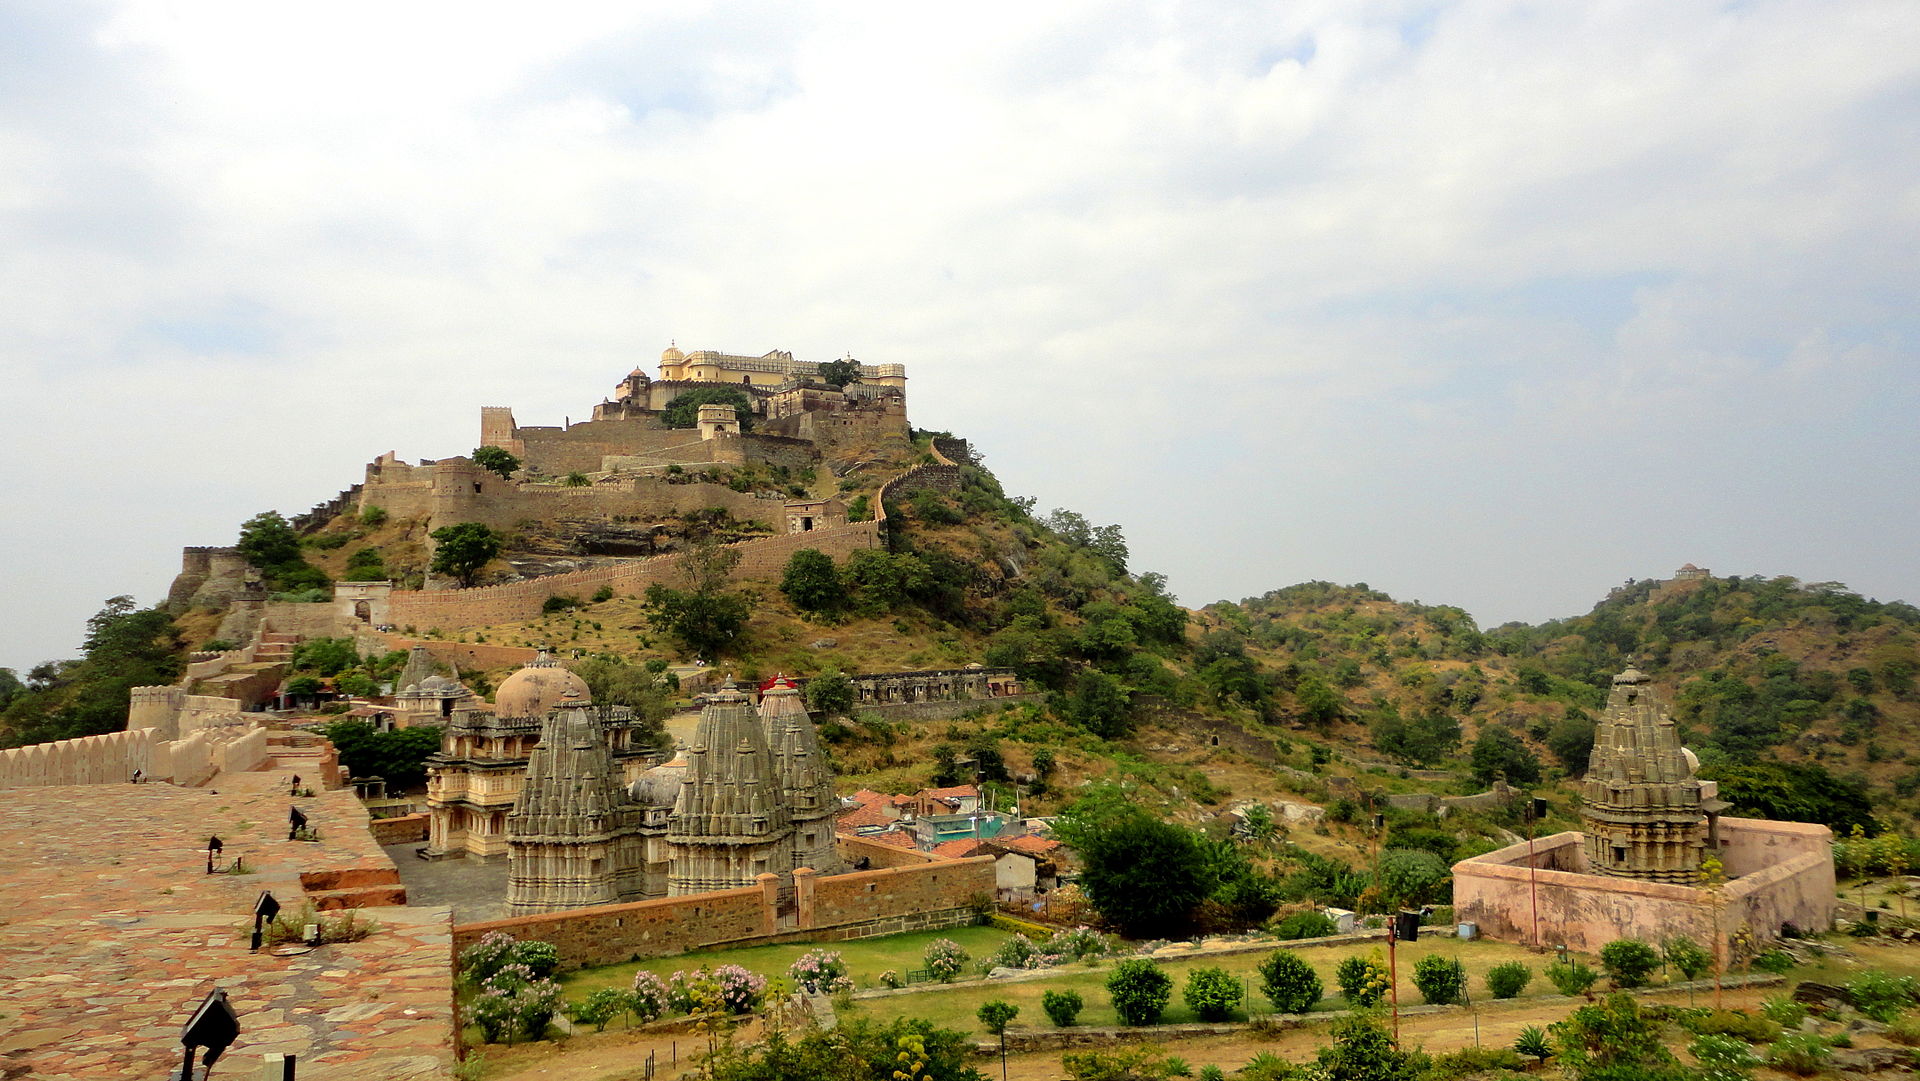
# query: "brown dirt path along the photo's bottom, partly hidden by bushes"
[[621, 1057]]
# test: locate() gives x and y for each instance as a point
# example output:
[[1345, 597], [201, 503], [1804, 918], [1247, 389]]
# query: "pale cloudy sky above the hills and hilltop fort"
[[1493, 304]]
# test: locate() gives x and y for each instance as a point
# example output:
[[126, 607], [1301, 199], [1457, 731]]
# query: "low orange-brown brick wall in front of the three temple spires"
[[842, 907]]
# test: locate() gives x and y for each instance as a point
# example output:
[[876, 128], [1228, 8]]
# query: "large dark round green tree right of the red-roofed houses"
[[1143, 875]]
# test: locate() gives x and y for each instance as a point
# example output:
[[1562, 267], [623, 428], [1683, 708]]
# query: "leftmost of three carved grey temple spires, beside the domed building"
[[573, 836]]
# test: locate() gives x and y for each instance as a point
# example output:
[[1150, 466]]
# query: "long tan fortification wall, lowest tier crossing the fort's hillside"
[[462, 610]]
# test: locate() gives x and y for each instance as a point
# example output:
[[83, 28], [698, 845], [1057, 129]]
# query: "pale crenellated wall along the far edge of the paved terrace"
[[114, 757]]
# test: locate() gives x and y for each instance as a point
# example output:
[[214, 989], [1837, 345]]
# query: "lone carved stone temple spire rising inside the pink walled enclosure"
[[1644, 811]]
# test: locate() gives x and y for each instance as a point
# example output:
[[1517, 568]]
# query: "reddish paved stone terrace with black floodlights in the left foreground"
[[110, 934]]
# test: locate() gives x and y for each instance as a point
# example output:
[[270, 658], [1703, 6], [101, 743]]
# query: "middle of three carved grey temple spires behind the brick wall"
[[731, 823]]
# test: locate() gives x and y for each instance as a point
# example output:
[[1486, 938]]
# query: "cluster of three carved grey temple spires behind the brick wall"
[[754, 798]]
